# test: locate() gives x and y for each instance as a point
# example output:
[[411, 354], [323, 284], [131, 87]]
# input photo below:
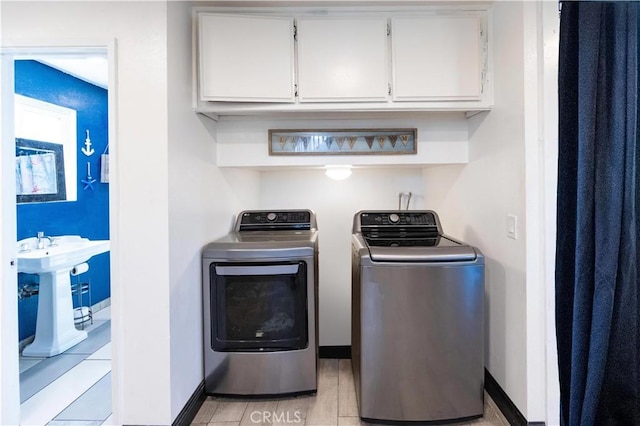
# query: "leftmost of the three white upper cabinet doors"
[[246, 58]]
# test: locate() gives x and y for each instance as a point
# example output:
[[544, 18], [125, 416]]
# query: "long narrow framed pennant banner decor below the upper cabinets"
[[359, 141]]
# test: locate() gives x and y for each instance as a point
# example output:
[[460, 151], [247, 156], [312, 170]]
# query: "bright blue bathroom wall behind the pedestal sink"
[[89, 215]]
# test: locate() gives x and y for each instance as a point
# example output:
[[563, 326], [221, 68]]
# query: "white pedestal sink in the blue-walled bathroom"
[[55, 328]]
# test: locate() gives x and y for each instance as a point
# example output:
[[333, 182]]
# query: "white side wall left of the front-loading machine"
[[202, 203]]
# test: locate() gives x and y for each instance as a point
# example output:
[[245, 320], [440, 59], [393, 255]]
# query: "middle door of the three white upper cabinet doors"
[[342, 59]]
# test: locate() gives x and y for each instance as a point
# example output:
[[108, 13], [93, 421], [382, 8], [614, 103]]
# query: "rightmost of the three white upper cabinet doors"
[[436, 58]]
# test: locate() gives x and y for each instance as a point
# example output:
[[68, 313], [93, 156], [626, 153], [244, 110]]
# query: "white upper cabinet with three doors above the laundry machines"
[[298, 61]]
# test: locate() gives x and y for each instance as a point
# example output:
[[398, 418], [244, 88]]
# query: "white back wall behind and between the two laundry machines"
[[335, 203]]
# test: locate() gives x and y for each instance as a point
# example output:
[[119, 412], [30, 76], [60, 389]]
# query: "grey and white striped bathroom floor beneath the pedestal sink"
[[73, 388]]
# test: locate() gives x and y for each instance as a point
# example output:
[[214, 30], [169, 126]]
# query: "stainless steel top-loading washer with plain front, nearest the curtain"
[[417, 320]]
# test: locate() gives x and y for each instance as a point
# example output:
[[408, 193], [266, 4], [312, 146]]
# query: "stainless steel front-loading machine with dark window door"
[[260, 293]]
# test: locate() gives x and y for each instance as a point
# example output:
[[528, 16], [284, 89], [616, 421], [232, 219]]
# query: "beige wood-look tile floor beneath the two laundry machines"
[[334, 404]]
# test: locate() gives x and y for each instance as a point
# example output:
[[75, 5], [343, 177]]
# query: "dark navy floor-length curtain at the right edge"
[[598, 256]]
